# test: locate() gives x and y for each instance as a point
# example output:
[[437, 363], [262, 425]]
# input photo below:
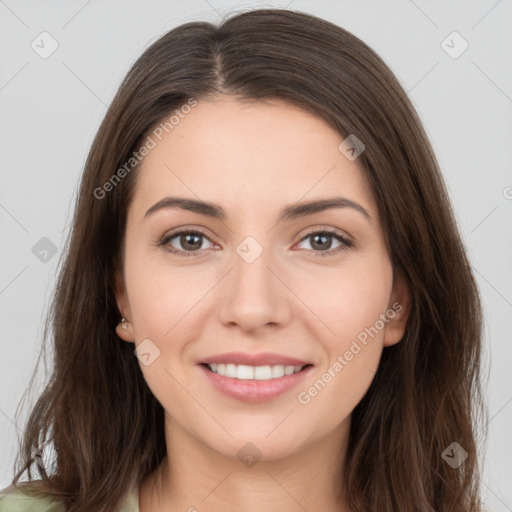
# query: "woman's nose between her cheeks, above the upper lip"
[[253, 297]]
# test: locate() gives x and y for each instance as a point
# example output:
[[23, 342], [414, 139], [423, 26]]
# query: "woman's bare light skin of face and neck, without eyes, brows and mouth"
[[254, 158]]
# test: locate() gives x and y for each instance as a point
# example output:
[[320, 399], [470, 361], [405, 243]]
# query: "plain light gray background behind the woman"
[[51, 108]]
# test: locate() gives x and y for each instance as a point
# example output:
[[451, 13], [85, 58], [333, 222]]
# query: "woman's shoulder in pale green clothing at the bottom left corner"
[[28, 497]]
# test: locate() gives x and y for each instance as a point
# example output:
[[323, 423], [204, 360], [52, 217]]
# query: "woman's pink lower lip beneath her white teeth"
[[254, 391]]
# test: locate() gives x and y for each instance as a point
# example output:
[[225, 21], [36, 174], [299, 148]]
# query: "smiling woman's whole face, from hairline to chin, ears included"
[[257, 276]]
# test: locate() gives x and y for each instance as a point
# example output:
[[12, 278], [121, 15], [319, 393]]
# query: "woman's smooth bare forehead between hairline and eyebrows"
[[248, 154]]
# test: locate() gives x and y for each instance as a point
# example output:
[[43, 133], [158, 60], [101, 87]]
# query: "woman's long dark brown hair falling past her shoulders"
[[106, 427]]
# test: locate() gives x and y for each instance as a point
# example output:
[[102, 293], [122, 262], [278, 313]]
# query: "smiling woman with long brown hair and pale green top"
[[262, 218]]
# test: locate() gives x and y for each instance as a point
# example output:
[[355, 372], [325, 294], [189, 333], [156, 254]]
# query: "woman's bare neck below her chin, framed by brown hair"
[[194, 477]]
